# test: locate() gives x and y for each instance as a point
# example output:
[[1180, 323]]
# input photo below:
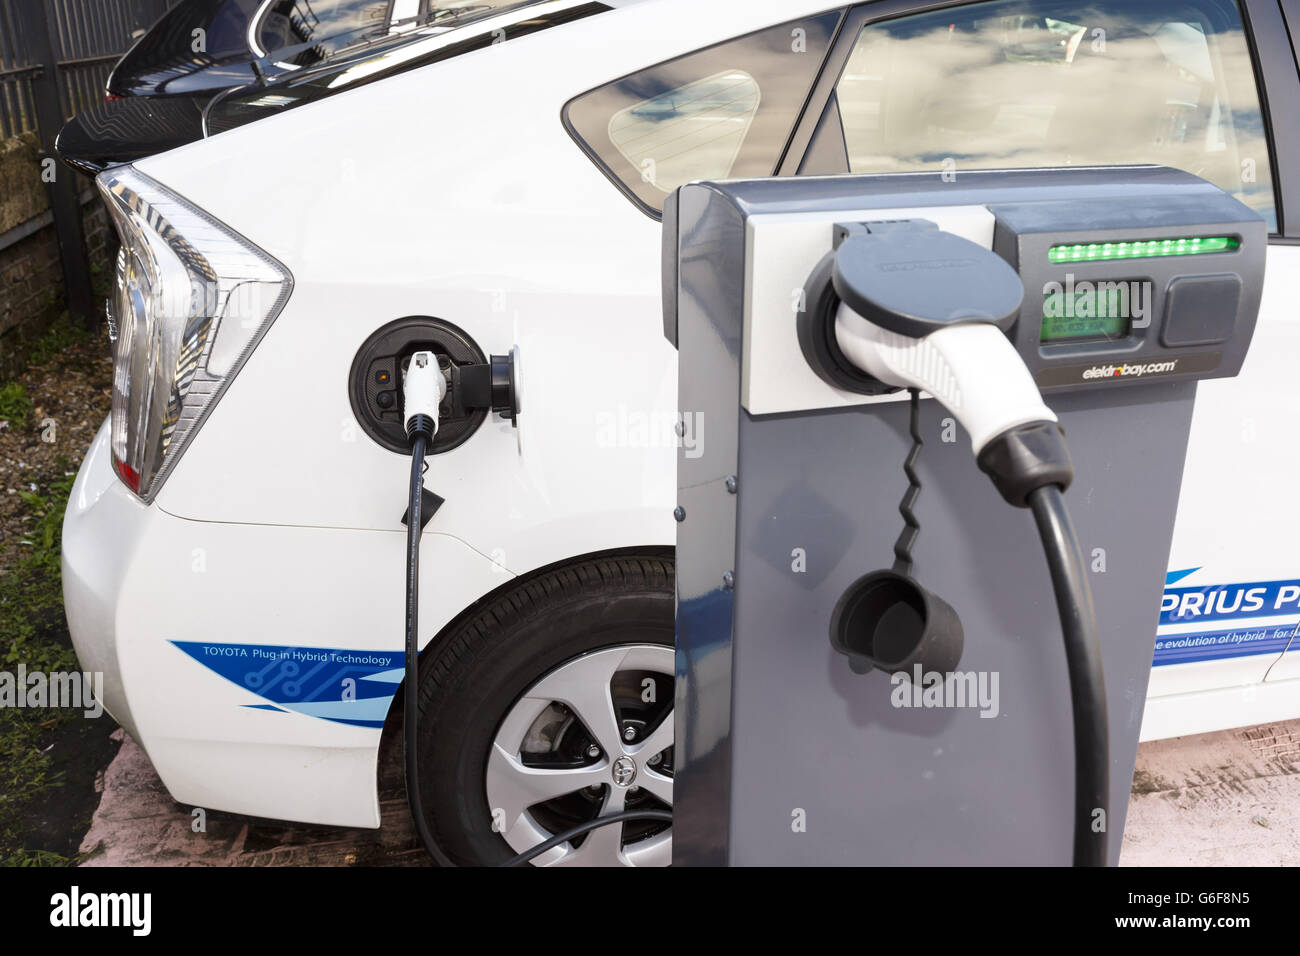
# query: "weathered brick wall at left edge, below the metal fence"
[[32, 293]]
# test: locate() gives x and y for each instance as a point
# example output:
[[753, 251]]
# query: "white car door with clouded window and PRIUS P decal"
[[998, 84]]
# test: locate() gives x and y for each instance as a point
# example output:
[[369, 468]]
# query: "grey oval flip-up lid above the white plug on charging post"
[[916, 280]]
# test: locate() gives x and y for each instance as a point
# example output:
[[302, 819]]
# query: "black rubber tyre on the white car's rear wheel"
[[562, 624]]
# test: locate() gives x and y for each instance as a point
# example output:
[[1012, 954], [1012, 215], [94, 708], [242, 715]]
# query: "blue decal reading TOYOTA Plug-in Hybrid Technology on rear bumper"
[[344, 686]]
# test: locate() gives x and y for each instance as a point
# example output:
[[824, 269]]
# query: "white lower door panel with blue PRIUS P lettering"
[[1236, 527]]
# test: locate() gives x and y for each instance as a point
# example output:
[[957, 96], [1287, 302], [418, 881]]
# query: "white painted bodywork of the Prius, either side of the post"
[[508, 230]]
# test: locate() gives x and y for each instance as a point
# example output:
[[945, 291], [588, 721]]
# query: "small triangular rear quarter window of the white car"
[[725, 111]]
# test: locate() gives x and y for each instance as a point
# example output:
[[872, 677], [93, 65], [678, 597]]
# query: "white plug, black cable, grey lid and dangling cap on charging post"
[[904, 305]]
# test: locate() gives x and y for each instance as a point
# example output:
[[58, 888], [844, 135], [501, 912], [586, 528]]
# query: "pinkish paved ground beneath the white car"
[[1227, 799]]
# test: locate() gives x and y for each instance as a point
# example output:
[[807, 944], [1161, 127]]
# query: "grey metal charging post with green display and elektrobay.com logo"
[[786, 755]]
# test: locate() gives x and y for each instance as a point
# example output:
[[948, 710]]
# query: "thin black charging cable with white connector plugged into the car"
[[424, 387]]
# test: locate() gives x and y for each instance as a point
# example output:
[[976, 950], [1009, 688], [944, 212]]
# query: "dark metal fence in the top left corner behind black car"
[[86, 38]]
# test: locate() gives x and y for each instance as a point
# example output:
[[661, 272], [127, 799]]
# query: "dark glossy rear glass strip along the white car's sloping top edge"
[[382, 58]]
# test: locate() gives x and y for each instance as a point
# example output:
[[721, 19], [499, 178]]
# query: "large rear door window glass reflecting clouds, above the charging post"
[[1047, 84]]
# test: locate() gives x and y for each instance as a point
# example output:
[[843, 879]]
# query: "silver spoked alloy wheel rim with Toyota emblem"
[[592, 738]]
